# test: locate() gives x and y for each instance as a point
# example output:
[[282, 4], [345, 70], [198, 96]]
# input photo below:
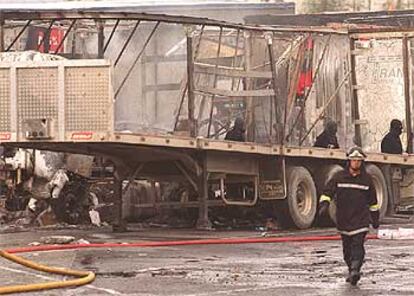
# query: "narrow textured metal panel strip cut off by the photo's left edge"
[[5, 100]]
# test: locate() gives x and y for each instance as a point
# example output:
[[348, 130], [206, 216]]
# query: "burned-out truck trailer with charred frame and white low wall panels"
[[161, 92]]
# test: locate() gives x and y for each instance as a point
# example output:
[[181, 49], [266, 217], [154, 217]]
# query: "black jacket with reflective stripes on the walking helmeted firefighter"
[[356, 201]]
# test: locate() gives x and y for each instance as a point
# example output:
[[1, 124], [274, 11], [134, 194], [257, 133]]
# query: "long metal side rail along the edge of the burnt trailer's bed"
[[152, 148]]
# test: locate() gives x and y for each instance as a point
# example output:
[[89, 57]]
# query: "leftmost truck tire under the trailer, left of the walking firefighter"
[[299, 207]]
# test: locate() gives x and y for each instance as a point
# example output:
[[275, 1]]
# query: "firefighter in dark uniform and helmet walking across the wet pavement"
[[357, 207]]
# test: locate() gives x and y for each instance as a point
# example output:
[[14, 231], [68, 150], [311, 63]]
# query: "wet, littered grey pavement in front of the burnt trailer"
[[299, 268]]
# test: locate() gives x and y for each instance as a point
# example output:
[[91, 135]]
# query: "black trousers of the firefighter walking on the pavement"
[[353, 249]]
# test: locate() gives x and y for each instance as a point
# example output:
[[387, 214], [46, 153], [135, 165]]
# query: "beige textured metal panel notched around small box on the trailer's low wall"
[[37, 94]]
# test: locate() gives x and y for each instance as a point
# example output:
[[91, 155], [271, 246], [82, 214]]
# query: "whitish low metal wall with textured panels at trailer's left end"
[[56, 100]]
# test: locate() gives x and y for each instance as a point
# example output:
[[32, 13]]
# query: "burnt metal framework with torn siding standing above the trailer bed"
[[260, 67]]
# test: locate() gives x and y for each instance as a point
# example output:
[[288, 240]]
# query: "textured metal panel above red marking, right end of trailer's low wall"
[[87, 99]]
